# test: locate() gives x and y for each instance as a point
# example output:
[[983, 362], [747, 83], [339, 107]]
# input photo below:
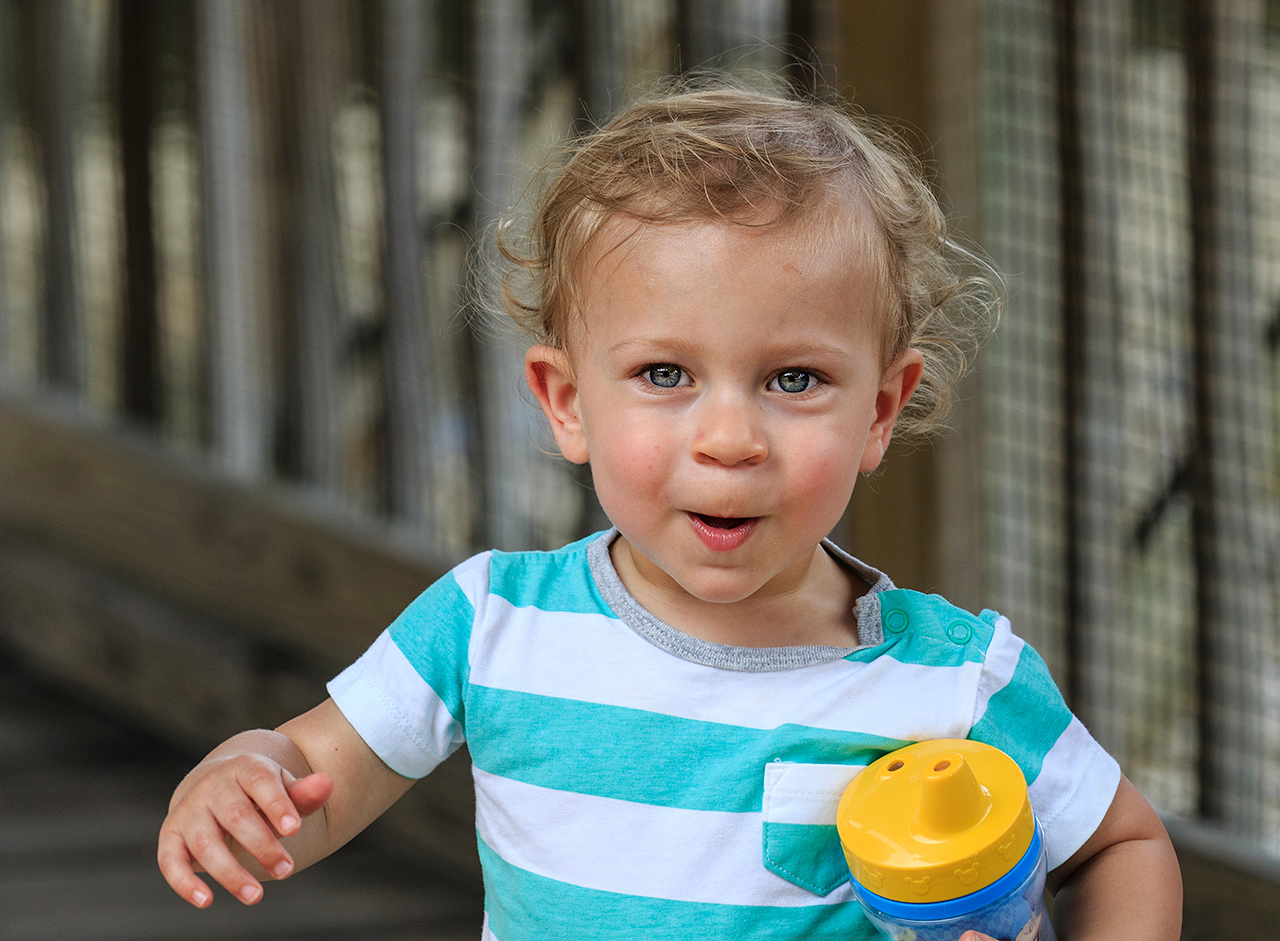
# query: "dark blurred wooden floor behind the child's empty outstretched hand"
[[81, 801]]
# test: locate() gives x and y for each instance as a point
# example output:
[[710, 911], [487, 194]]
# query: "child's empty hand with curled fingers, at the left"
[[243, 801]]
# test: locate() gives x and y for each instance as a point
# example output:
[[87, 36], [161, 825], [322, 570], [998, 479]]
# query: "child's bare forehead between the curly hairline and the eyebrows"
[[783, 285]]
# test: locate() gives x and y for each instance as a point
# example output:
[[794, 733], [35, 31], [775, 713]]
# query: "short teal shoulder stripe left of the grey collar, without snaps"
[[554, 582]]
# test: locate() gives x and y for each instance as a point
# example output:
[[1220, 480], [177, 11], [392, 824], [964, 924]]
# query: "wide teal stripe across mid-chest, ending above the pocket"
[[641, 756]]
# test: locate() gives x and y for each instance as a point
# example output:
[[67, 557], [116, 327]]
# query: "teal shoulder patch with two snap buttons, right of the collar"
[[929, 631]]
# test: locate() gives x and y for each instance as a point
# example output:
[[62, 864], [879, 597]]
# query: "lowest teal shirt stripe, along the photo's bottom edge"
[[527, 907]]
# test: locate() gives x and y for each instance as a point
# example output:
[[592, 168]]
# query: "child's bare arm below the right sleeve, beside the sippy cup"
[[1124, 883]]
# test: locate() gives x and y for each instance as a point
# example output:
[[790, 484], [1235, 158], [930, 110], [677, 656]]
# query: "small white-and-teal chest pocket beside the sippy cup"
[[801, 843]]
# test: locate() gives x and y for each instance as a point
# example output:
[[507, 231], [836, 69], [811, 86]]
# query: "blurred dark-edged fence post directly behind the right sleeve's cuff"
[[1092, 369]]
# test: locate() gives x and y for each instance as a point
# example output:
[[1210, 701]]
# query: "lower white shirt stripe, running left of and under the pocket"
[[636, 849]]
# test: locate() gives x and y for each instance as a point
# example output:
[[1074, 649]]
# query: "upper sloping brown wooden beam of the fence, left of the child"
[[271, 558]]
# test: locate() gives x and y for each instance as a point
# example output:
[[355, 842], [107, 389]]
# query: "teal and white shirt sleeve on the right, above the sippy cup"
[[1072, 780]]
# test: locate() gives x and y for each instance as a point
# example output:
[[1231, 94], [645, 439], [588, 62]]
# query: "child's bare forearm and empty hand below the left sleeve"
[[228, 815]]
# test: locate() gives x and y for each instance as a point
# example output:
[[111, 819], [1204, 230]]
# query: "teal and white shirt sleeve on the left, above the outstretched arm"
[[406, 695]]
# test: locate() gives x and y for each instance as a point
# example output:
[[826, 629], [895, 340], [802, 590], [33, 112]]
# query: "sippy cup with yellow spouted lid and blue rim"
[[940, 839]]
